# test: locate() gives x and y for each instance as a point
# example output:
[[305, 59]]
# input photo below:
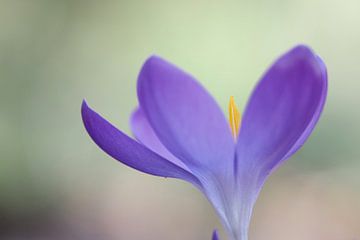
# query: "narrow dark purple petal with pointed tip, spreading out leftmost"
[[128, 151]]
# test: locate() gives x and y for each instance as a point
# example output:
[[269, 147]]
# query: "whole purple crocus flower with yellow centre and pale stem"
[[182, 133]]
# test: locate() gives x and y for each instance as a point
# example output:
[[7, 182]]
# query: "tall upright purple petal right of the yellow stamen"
[[282, 111]]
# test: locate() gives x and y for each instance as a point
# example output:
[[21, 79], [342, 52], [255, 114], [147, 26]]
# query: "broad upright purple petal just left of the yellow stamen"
[[184, 116]]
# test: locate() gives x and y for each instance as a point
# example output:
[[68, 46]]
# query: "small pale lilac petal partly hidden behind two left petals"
[[144, 133]]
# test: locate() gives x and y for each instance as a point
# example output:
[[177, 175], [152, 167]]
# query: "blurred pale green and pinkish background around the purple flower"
[[55, 183]]
